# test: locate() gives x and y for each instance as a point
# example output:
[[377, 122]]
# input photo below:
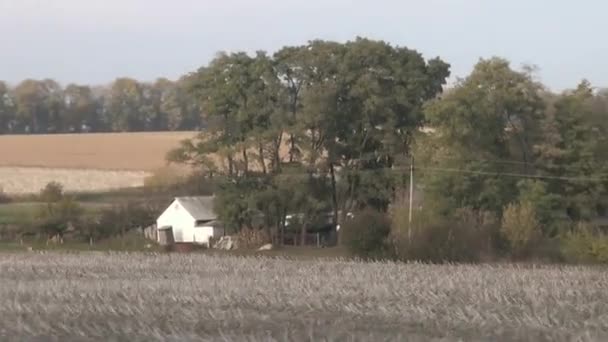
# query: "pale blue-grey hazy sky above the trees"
[[96, 41]]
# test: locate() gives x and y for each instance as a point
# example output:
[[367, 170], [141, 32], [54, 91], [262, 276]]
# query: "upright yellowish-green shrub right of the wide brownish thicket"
[[520, 227]]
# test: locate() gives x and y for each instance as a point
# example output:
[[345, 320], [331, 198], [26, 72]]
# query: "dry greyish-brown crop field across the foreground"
[[140, 297]]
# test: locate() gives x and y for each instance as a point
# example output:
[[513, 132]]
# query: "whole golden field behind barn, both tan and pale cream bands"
[[83, 162]]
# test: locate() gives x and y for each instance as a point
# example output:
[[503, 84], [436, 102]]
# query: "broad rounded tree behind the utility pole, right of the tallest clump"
[[488, 118]]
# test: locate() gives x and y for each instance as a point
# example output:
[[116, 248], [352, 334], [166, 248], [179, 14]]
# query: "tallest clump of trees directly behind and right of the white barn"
[[311, 129]]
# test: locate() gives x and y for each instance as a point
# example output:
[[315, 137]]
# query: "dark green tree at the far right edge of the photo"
[[573, 153]]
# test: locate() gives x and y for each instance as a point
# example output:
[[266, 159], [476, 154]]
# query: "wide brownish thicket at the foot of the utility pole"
[[466, 236]]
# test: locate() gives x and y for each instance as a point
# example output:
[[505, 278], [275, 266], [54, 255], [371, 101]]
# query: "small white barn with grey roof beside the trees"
[[189, 220]]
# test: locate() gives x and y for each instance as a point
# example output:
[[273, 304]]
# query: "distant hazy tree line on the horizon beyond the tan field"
[[45, 106]]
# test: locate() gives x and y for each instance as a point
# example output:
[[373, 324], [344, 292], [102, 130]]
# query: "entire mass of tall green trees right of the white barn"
[[331, 127]]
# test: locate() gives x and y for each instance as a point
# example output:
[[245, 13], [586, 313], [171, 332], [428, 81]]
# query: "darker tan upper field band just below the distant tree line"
[[99, 151]]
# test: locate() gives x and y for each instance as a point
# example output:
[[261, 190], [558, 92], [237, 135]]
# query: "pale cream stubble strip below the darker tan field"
[[25, 180]]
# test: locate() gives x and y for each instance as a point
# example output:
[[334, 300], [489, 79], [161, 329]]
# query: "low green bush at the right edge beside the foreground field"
[[585, 244]]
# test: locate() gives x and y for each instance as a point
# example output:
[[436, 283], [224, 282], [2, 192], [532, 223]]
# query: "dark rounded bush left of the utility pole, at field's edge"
[[366, 235]]
